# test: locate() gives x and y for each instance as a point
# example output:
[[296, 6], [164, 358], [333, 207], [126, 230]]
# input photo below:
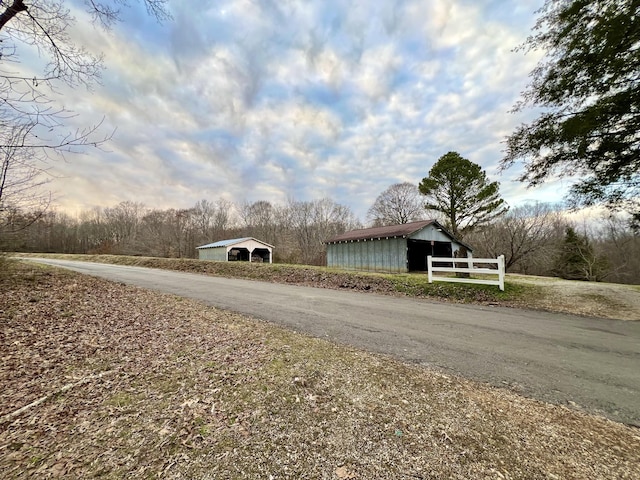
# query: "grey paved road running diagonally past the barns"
[[558, 358]]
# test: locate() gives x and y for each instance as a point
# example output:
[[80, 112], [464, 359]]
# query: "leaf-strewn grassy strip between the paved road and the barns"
[[522, 291]]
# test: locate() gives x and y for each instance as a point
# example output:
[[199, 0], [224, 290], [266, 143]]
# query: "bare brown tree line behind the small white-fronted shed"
[[297, 229]]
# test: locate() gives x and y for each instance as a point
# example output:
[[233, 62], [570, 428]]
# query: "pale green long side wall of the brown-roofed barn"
[[384, 255]]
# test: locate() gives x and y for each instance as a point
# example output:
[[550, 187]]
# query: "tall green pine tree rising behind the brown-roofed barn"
[[460, 190]]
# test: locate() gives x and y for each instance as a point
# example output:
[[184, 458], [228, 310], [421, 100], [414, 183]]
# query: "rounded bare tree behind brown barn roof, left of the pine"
[[398, 204]]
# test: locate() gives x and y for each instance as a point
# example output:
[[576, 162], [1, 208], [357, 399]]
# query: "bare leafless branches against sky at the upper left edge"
[[32, 126]]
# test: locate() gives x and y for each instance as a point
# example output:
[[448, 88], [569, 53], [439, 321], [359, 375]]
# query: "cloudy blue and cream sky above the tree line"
[[272, 100]]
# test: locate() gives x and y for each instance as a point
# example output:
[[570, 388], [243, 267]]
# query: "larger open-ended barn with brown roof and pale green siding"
[[395, 248]]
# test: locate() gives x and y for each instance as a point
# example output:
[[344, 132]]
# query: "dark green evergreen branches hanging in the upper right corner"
[[588, 89]]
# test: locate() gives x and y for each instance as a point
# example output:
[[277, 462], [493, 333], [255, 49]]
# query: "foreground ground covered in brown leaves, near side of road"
[[119, 382]]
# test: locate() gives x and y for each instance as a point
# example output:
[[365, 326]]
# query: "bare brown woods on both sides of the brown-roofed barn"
[[536, 239]]
